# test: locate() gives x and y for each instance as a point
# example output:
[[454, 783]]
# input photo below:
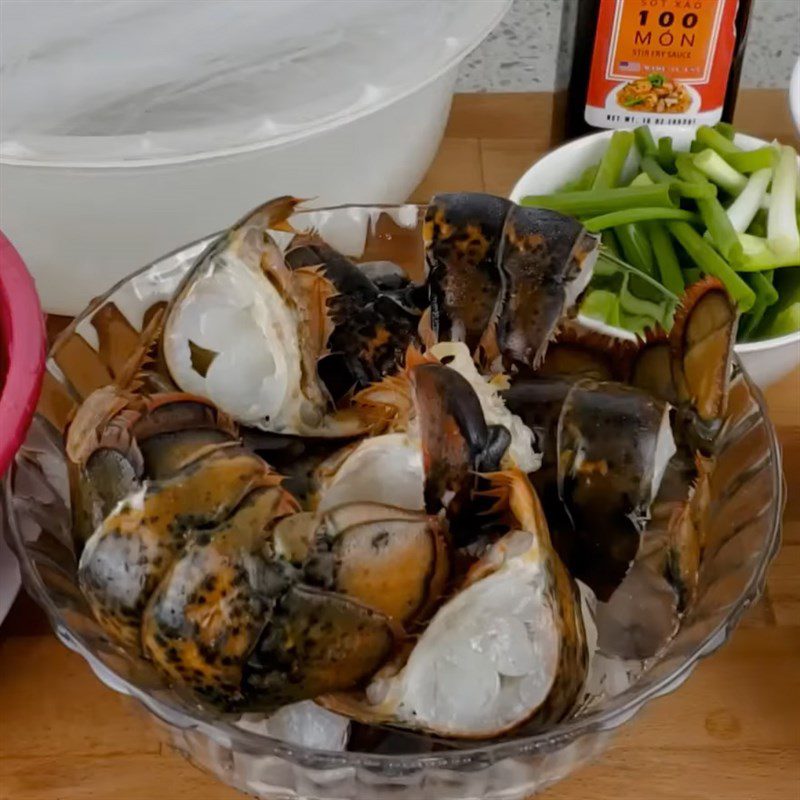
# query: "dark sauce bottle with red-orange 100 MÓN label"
[[663, 63]]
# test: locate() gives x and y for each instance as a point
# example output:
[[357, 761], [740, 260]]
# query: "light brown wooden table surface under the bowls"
[[732, 731]]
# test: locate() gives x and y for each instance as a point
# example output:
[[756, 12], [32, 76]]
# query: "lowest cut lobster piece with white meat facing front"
[[506, 650]]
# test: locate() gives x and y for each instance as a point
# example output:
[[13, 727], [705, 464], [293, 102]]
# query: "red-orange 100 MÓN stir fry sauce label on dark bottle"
[[660, 62]]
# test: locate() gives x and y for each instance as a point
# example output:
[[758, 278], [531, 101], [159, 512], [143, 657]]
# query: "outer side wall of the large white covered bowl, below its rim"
[[81, 229]]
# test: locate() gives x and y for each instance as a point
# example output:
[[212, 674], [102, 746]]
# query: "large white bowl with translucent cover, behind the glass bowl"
[[129, 128]]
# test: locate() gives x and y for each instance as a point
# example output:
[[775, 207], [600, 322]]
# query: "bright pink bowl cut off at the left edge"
[[22, 350]]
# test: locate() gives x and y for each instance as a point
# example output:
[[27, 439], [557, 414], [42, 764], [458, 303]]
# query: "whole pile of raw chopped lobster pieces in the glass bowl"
[[317, 479]]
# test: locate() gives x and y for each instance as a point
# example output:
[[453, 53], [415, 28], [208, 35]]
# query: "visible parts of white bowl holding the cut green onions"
[[767, 361]]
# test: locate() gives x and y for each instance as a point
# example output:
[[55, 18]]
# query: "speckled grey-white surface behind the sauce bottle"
[[520, 55]]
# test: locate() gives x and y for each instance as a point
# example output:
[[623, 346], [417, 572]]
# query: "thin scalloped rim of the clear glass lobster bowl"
[[621, 708]]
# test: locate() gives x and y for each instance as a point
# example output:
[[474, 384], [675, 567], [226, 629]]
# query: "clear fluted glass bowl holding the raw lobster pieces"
[[747, 502]]
